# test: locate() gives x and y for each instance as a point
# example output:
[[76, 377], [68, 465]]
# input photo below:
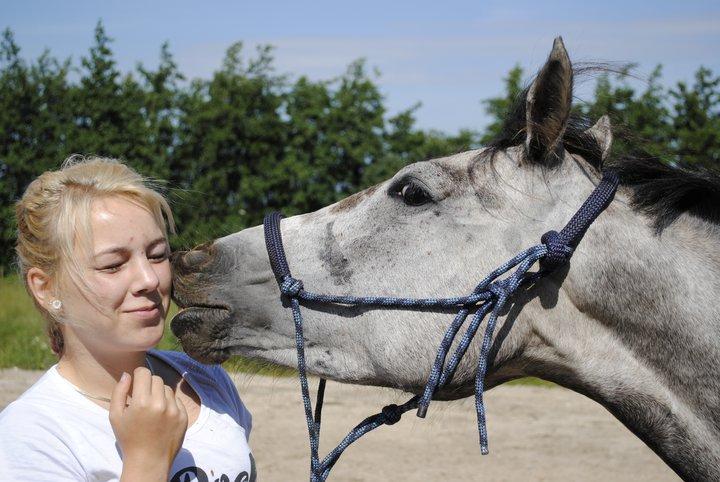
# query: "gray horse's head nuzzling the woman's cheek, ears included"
[[433, 230]]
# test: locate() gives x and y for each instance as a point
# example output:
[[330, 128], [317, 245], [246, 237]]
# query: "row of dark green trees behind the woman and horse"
[[248, 139]]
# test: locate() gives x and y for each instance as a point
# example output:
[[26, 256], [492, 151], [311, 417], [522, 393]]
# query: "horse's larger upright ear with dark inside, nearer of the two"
[[548, 106]]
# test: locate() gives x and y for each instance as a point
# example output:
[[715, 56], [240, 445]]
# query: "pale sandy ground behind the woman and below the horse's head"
[[536, 434]]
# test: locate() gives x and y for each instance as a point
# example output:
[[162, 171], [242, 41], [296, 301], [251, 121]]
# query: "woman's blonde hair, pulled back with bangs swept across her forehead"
[[53, 215]]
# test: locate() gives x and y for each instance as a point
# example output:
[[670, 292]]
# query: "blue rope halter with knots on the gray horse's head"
[[490, 296]]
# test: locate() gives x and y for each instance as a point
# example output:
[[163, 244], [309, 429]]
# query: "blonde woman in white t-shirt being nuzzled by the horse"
[[93, 251]]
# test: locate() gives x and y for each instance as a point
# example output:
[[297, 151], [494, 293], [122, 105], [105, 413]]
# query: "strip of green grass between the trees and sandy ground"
[[23, 342]]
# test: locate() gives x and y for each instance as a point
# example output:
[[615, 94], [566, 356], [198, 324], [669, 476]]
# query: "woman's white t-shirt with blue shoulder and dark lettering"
[[52, 432]]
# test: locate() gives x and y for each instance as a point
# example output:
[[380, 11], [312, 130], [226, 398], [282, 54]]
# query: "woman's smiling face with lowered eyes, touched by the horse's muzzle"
[[127, 276]]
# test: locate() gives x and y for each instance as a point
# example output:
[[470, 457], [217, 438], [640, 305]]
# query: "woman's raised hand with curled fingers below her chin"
[[150, 429]]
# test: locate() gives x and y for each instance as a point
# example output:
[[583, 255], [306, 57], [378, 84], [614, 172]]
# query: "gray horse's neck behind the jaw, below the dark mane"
[[648, 331]]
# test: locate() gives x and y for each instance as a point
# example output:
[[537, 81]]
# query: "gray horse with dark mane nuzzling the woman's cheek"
[[631, 322]]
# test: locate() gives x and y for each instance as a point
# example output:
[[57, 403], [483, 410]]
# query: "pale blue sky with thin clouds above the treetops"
[[448, 55]]
